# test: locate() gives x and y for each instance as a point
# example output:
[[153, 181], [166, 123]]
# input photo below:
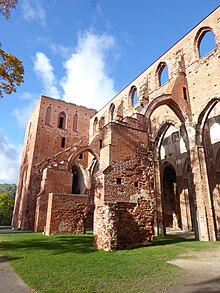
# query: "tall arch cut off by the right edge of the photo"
[[209, 139]]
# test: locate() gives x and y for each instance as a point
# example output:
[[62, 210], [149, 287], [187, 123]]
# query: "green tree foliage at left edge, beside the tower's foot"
[[6, 209]]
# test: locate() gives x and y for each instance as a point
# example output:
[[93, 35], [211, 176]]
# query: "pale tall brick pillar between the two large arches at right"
[[204, 212]]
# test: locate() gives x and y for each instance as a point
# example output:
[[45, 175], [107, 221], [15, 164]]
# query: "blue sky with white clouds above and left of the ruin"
[[84, 52]]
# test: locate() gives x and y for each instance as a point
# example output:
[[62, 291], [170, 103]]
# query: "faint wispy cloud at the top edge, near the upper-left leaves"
[[32, 10]]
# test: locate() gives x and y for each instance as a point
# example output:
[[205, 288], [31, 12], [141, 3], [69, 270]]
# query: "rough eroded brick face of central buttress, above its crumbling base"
[[128, 179]]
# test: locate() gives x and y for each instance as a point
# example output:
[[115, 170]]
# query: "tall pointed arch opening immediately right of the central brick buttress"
[[170, 144]]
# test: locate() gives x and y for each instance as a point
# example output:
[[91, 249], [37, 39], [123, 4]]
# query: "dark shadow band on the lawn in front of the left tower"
[[56, 244]]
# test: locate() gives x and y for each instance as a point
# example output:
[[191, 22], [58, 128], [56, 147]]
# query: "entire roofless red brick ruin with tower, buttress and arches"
[[147, 161]]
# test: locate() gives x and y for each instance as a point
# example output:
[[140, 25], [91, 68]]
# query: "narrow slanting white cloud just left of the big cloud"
[[44, 69]]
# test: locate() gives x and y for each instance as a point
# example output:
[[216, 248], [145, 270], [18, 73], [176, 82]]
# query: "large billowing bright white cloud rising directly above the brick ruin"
[[87, 80]]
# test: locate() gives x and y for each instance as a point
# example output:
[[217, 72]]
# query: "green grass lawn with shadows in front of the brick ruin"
[[70, 263]]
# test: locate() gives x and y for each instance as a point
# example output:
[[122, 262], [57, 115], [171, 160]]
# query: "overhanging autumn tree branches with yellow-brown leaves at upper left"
[[11, 68]]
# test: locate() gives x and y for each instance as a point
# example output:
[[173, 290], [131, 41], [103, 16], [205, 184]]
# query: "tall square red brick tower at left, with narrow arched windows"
[[43, 140]]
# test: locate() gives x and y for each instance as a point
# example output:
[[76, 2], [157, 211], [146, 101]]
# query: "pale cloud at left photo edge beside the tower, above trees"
[[10, 160]]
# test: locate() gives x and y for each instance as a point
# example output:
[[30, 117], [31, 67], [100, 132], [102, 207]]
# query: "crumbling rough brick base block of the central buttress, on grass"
[[124, 225]]
